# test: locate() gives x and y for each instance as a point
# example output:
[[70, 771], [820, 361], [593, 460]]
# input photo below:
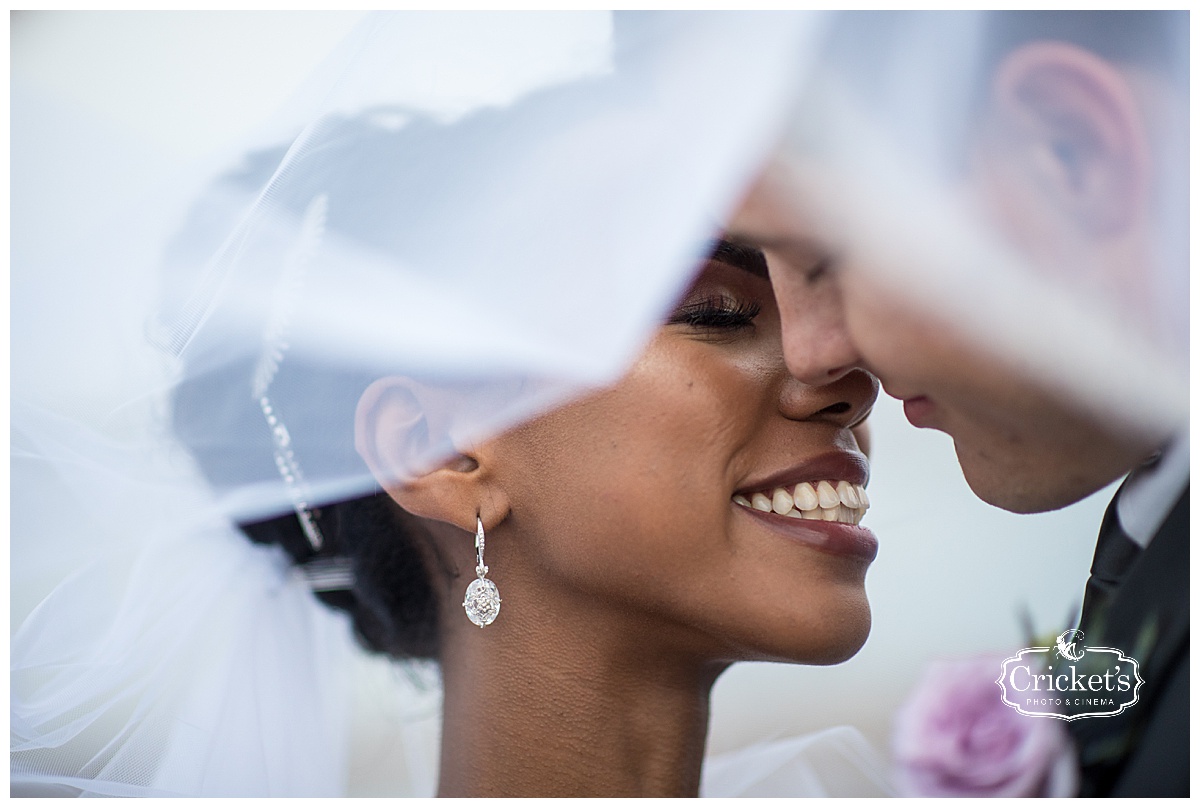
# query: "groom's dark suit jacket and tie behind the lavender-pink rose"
[[1144, 751]]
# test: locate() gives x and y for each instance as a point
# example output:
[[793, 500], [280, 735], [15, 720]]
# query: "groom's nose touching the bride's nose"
[[818, 349]]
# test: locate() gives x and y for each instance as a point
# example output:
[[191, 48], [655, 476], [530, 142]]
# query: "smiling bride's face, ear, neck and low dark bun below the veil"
[[703, 511]]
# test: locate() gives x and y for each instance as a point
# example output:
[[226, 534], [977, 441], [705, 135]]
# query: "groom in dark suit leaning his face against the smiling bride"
[[1077, 145]]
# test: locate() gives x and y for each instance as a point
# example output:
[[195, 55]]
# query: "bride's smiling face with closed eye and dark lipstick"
[[634, 510]]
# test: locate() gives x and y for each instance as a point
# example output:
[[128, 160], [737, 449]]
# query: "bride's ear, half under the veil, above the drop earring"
[[393, 428]]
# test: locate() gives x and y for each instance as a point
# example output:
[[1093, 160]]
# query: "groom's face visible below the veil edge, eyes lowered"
[[1021, 446]]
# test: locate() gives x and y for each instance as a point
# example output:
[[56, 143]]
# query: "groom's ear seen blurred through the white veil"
[[1069, 139]]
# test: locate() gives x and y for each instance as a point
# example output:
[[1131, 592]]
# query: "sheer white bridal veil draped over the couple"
[[507, 247]]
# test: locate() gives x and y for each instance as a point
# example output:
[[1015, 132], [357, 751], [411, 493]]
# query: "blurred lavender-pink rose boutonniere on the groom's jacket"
[[956, 738]]
